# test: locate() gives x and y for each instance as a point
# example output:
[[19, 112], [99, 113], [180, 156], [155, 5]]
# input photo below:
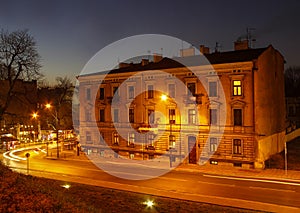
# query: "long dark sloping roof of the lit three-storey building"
[[212, 58]]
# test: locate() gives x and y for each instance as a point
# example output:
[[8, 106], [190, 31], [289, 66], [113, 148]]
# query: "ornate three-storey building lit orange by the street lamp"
[[230, 112]]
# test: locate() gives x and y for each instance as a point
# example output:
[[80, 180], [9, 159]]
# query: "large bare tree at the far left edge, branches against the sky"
[[19, 59]]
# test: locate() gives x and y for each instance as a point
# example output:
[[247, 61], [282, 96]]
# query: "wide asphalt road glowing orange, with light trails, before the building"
[[268, 195]]
